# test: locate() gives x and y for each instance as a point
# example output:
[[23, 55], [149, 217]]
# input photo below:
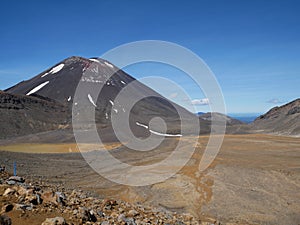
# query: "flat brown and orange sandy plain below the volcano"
[[255, 179]]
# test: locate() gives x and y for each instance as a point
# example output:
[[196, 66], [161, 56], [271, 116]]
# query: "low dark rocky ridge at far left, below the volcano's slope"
[[21, 115]]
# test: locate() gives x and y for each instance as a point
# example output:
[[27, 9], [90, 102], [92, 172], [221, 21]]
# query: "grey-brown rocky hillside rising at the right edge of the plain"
[[284, 120]]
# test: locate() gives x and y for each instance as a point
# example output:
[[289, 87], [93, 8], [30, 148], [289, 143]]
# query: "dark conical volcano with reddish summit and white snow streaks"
[[59, 84]]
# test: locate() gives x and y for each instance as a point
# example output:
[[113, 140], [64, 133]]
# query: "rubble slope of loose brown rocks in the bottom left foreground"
[[23, 202]]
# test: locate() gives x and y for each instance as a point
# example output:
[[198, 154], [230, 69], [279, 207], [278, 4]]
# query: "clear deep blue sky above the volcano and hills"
[[253, 47]]
